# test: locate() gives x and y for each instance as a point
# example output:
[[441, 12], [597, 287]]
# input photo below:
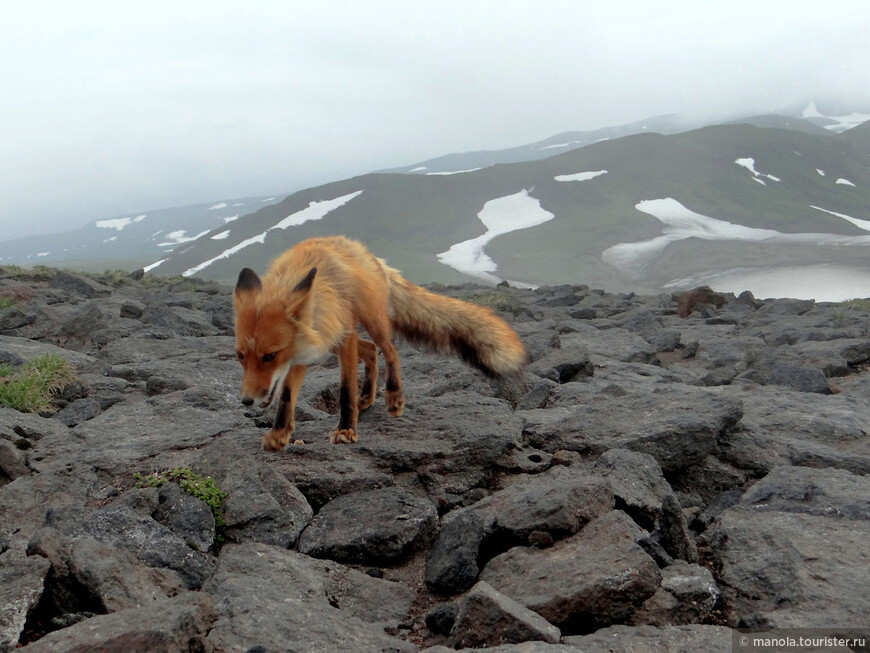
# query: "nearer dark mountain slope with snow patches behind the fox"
[[746, 195]]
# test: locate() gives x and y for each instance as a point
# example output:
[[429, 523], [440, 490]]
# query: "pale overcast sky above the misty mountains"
[[111, 108]]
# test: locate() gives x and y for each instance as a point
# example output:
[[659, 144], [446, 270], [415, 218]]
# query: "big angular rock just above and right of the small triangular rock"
[[593, 579]]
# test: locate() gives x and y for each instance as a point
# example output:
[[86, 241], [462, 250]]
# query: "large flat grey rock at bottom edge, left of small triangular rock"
[[307, 604]]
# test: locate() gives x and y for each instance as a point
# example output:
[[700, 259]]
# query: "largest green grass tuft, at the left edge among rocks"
[[30, 387]]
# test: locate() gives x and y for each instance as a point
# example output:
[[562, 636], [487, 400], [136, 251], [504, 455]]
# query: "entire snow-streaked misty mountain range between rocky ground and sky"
[[649, 206]]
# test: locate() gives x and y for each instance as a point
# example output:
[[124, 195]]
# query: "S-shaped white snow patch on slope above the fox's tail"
[[500, 216]]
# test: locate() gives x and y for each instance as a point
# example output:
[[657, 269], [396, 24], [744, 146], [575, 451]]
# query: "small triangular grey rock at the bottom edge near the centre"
[[488, 618]]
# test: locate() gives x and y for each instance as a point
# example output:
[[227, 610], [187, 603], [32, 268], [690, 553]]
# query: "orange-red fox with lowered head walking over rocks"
[[309, 303]]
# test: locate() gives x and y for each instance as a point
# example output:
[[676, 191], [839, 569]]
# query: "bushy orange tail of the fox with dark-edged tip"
[[448, 325]]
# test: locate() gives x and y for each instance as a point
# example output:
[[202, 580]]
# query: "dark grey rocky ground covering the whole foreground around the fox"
[[659, 481]]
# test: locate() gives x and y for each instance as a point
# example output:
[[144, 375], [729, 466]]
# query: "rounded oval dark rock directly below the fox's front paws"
[[372, 527]]
